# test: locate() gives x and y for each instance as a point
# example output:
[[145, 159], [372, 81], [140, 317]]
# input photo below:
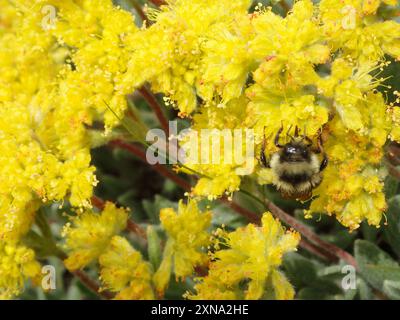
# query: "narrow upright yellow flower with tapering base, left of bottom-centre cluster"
[[187, 237]]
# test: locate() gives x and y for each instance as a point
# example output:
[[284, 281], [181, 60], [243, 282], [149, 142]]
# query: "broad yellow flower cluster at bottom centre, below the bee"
[[248, 267]]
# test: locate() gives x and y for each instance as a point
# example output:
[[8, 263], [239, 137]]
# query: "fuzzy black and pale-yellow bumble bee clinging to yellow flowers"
[[296, 166]]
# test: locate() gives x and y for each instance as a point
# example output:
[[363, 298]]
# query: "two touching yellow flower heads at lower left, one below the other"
[[94, 237]]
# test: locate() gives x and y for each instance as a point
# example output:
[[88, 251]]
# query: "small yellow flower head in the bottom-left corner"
[[17, 263]]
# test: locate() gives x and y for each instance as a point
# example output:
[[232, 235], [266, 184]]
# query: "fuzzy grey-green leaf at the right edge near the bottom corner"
[[375, 265]]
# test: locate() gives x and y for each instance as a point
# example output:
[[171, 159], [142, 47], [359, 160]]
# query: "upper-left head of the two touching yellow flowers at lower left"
[[91, 233]]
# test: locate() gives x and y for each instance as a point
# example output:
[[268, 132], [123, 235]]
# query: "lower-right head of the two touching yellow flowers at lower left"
[[123, 270]]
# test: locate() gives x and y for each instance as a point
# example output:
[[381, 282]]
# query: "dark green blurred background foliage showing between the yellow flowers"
[[127, 181]]
